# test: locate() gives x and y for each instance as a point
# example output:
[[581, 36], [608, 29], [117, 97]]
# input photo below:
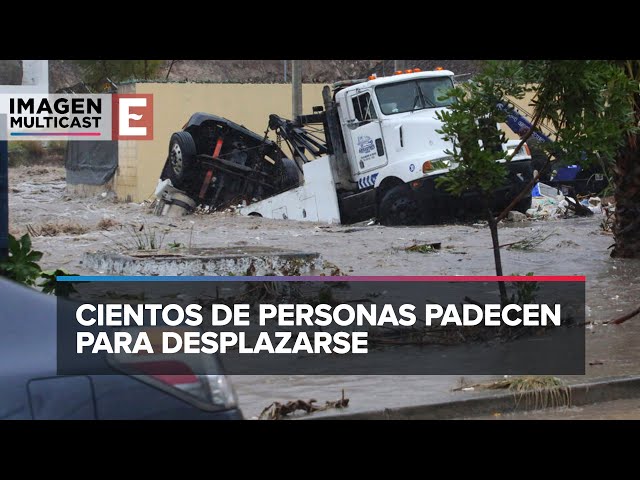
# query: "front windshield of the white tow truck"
[[414, 95]]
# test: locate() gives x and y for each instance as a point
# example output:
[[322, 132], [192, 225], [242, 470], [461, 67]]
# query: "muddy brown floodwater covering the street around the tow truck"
[[575, 246]]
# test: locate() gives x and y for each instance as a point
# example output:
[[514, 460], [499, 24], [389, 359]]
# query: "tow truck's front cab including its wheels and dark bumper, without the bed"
[[389, 129]]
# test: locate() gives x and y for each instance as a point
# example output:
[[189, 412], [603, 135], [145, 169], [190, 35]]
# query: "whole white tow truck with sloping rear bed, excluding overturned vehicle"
[[380, 156]]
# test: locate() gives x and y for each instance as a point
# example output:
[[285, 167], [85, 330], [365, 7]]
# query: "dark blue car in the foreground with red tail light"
[[30, 388]]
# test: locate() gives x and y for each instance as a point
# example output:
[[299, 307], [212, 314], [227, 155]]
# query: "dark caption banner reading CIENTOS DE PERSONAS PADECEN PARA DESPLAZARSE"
[[296, 326]]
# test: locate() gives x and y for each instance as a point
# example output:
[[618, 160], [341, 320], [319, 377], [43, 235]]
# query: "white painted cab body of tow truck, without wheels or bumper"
[[389, 126]]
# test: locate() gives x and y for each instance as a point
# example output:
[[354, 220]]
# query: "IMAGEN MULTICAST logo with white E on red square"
[[77, 117]]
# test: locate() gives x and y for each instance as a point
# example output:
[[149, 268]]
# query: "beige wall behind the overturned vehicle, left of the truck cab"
[[140, 162]]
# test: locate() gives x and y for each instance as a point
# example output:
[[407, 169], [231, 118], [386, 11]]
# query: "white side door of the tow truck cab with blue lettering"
[[363, 133]]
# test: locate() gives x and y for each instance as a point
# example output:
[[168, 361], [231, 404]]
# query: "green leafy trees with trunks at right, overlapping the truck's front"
[[594, 108]]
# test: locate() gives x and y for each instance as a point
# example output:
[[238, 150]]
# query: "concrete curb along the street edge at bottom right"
[[602, 390]]
